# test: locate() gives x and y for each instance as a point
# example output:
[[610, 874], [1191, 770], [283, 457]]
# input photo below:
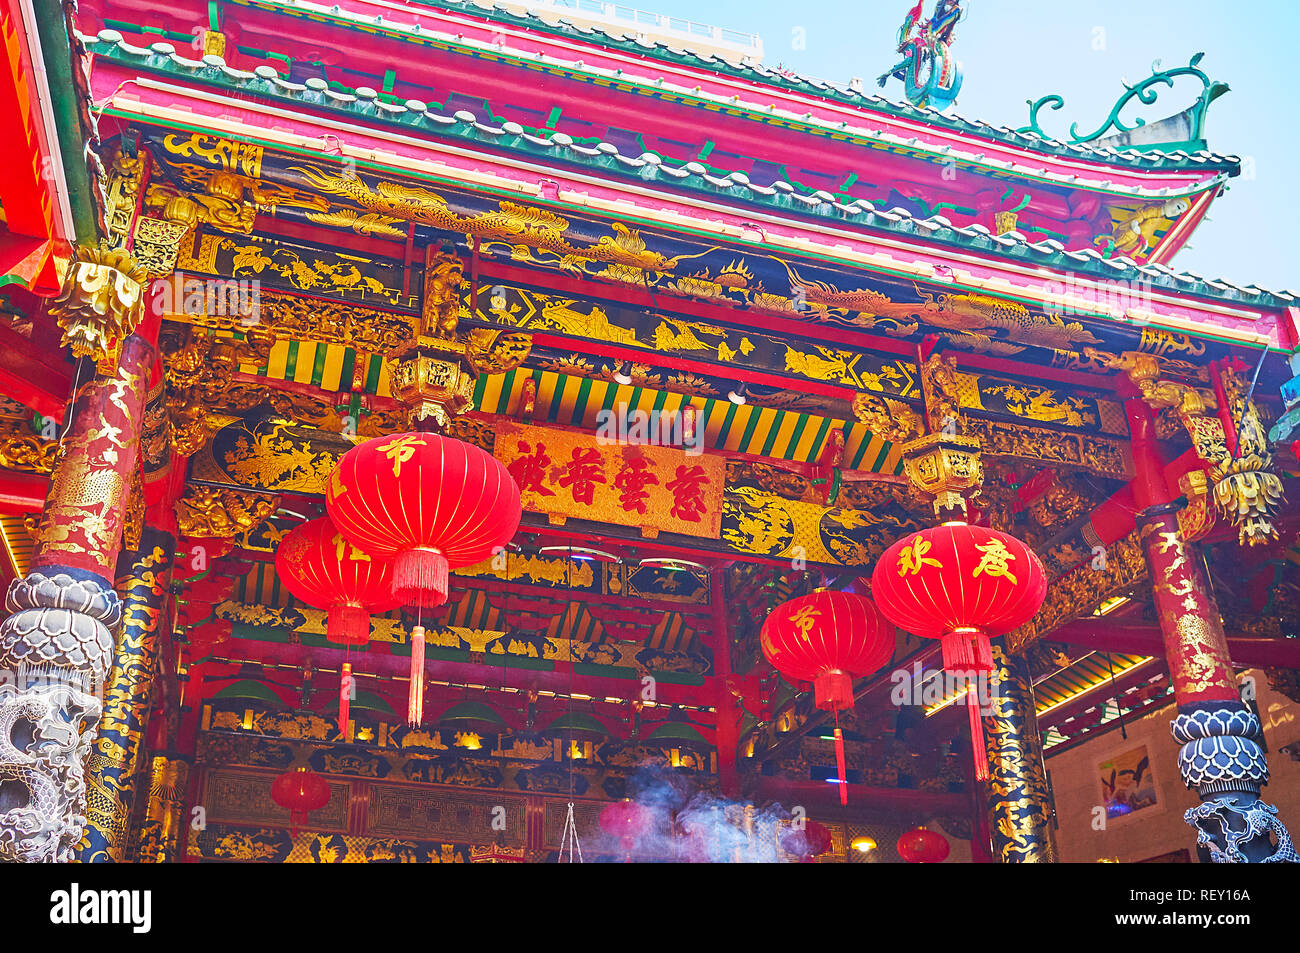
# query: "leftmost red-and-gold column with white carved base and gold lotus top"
[[58, 642]]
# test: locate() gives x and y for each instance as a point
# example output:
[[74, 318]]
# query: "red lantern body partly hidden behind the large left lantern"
[[324, 570]]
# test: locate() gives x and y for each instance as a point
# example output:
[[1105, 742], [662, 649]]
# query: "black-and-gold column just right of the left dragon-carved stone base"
[[112, 766]]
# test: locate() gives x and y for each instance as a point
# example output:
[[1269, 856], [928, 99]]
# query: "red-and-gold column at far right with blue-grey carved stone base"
[[1220, 756]]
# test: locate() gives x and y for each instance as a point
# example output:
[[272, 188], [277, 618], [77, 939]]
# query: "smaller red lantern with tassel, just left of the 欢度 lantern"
[[829, 639]]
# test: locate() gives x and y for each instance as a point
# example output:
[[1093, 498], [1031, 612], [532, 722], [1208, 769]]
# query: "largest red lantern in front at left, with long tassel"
[[432, 505]]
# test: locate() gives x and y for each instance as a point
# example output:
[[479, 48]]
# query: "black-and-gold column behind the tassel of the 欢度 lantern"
[[1019, 799]]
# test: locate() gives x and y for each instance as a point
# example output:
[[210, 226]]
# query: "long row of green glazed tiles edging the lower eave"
[[605, 157]]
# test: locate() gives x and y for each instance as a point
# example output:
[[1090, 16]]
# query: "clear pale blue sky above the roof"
[[1019, 50]]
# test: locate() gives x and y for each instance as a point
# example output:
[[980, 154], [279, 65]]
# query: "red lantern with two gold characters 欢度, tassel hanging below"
[[961, 584]]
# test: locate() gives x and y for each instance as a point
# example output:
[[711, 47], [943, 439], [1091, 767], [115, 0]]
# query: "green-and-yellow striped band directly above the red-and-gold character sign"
[[742, 428]]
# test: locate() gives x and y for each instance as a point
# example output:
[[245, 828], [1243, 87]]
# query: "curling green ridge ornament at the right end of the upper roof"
[[1182, 129]]
